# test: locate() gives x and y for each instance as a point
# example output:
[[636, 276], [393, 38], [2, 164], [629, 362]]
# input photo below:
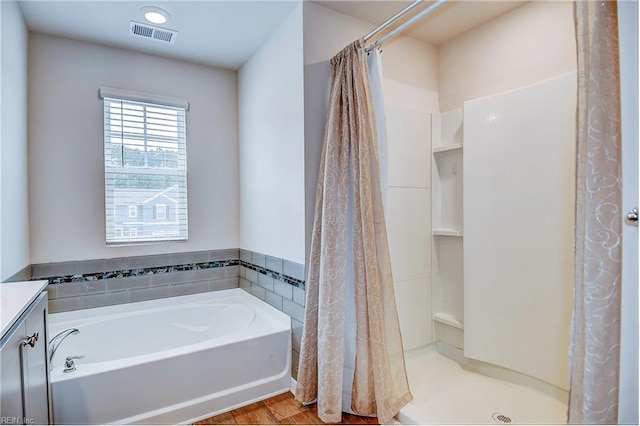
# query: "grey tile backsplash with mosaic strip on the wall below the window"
[[102, 282]]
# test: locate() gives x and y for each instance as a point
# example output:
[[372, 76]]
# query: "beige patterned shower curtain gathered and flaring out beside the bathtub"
[[349, 240]]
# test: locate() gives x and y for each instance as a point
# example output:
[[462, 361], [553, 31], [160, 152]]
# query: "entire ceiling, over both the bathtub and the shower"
[[227, 33]]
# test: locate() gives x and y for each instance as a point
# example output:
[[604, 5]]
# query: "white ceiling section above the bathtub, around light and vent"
[[218, 33]]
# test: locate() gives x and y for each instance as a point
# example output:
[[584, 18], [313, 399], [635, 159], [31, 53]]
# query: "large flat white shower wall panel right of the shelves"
[[519, 166]]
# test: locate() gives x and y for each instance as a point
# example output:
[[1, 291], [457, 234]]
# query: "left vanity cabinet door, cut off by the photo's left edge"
[[11, 407]]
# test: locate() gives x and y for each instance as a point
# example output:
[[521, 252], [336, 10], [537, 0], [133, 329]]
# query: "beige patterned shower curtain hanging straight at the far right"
[[596, 322]]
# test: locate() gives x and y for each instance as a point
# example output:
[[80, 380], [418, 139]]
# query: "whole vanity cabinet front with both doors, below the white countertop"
[[24, 393]]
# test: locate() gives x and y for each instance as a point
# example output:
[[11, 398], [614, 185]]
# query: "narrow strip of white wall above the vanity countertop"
[[14, 225]]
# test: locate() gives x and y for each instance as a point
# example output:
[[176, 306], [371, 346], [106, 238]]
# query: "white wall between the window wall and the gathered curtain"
[[271, 113]]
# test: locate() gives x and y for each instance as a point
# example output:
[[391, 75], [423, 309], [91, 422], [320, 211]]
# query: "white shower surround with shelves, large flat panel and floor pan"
[[502, 260]]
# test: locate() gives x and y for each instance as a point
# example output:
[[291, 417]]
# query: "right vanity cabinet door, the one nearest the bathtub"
[[35, 367]]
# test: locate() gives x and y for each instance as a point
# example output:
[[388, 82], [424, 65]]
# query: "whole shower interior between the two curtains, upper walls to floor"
[[481, 210]]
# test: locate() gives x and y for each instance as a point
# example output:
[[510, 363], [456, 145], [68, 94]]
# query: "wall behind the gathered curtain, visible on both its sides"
[[410, 89]]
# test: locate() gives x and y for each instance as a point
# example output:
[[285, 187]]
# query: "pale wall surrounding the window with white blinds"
[[66, 187]]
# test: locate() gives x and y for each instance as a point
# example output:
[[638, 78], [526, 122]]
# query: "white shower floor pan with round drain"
[[444, 393]]
